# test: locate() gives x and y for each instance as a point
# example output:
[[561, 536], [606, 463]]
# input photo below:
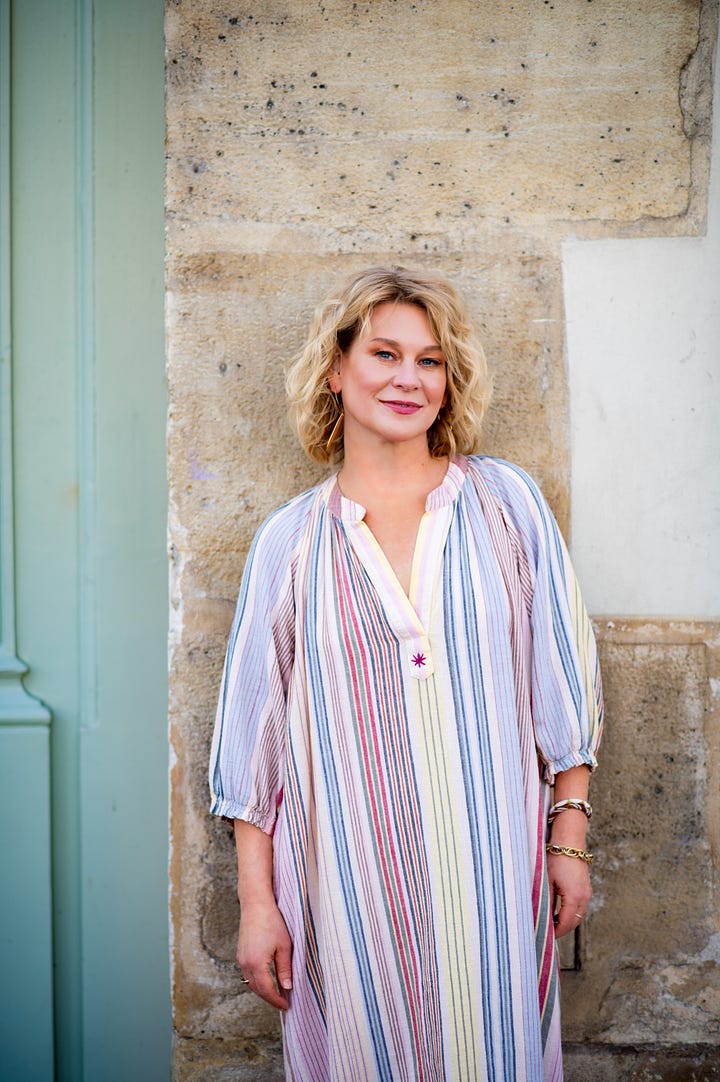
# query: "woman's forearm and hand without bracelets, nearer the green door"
[[264, 944]]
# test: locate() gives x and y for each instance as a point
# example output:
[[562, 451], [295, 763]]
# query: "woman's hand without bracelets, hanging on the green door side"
[[265, 951]]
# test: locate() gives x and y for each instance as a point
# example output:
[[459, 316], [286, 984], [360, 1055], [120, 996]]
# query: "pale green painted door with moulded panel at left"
[[84, 757]]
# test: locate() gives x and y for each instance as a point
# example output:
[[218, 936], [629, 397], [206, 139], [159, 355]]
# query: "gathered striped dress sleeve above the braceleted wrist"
[[566, 684]]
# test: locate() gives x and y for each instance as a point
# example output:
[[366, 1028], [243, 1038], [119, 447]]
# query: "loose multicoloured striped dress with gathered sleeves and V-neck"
[[401, 753]]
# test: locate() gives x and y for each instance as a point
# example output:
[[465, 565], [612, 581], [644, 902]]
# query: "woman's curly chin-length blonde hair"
[[342, 319]]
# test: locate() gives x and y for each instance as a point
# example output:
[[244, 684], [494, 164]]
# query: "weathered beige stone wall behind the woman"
[[309, 140]]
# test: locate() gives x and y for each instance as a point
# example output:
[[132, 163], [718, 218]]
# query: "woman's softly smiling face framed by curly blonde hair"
[[392, 379]]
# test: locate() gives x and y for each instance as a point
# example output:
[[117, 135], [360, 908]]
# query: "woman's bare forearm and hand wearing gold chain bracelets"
[[570, 877]]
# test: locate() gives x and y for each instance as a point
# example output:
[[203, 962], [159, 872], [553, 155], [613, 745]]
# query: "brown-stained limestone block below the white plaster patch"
[[652, 943]]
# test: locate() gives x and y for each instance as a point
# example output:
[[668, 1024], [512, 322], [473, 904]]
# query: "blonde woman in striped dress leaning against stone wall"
[[410, 672]]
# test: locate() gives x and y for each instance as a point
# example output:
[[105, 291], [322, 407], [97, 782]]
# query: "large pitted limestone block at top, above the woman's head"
[[422, 122]]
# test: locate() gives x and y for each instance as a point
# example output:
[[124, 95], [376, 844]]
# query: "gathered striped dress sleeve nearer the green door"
[[247, 760]]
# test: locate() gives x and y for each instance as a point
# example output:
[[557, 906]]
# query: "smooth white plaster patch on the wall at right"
[[644, 348]]
